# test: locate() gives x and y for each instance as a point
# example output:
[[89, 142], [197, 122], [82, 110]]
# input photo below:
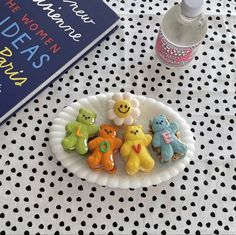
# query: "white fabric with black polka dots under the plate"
[[39, 196]]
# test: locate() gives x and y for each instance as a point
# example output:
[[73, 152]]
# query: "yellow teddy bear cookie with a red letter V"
[[134, 150]]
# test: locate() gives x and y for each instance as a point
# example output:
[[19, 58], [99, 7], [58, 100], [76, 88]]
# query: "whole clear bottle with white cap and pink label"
[[182, 31]]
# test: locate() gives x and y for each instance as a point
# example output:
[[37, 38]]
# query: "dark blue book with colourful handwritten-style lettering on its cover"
[[40, 39]]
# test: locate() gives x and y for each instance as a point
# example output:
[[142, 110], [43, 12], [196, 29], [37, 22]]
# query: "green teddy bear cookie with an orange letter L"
[[78, 132]]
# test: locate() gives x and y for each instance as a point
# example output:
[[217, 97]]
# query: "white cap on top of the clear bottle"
[[191, 8]]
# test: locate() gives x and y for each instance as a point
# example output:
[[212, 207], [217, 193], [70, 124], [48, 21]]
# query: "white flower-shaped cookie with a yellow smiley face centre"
[[123, 109]]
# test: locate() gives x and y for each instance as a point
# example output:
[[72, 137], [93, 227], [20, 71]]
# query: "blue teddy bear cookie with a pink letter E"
[[166, 139]]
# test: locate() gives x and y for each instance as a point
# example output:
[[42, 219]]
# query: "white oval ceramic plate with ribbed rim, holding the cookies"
[[98, 104]]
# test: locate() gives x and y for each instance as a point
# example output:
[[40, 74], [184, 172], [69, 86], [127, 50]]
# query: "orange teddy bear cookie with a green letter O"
[[103, 148]]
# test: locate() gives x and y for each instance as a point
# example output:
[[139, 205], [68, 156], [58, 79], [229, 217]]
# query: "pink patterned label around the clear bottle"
[[173, 55]]
